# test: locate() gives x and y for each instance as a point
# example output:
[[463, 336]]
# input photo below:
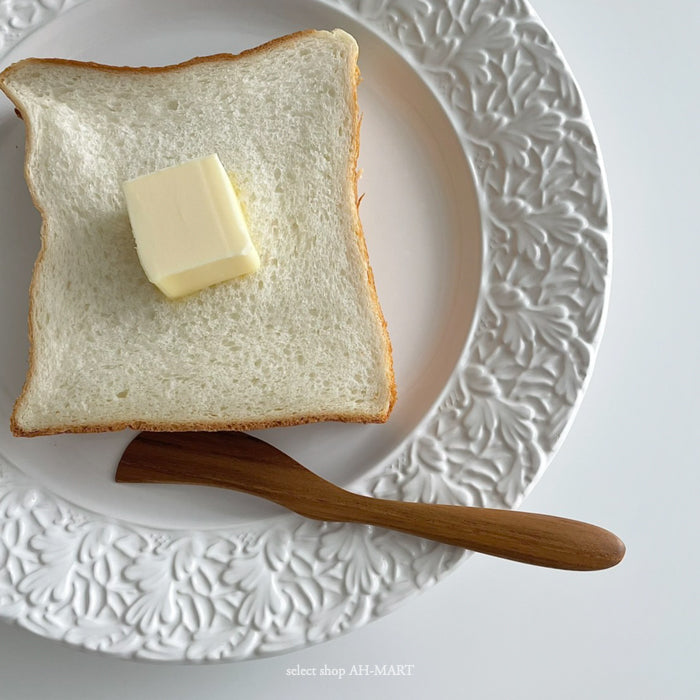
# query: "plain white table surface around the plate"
[[495, 629]]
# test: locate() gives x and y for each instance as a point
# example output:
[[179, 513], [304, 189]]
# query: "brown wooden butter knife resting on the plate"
[[242, 462]]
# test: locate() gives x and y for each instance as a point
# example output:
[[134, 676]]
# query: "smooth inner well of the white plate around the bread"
[[419, 214]]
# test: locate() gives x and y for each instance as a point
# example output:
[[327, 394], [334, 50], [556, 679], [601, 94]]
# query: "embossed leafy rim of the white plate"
[[134, 592]]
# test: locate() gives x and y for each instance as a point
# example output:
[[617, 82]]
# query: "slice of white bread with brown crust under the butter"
[[301, 340]]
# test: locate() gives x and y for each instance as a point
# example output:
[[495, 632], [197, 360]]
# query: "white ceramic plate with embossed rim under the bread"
[[487, 223]]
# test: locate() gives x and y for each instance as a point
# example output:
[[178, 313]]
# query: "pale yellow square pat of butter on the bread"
[[189, 227]]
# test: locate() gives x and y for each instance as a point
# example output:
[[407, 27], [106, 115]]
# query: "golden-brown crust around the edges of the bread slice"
[[15, 426]]
